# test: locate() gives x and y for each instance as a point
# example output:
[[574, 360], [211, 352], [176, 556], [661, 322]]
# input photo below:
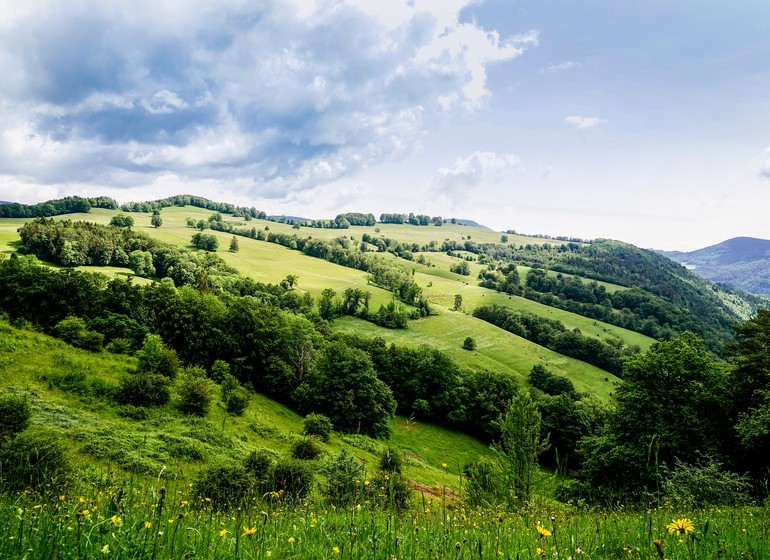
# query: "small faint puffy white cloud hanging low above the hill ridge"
[[467, 174]]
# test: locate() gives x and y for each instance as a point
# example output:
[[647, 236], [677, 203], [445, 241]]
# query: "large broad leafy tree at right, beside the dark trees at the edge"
[[669, 404]]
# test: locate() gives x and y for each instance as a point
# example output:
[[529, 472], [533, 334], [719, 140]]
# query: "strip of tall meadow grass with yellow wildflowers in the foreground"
[[132, 520]]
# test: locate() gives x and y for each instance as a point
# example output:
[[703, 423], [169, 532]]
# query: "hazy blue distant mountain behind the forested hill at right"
[[742, 262]]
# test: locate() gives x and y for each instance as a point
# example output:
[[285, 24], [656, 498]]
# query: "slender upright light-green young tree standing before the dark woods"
[[520, 445]]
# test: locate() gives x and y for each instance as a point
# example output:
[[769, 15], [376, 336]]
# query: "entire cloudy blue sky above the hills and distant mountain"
[[643, 121]]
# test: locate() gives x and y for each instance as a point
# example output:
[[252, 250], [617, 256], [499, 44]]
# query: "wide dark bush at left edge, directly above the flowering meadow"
[[33, 461]]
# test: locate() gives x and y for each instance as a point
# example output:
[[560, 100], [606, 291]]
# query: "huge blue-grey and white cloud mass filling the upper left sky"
[[276, 97]]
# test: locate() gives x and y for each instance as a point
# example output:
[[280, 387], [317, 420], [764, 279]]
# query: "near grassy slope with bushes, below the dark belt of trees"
[[69, 393]]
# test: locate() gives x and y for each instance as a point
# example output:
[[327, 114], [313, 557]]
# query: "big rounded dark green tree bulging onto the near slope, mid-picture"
[[344, 387]]
